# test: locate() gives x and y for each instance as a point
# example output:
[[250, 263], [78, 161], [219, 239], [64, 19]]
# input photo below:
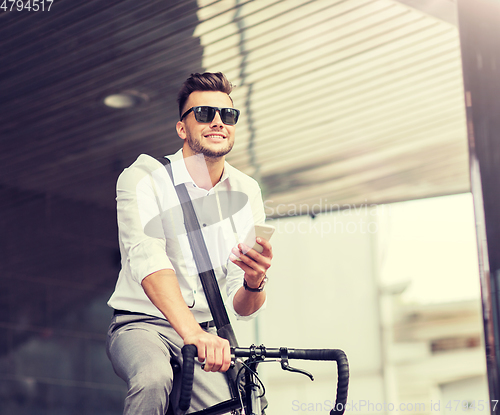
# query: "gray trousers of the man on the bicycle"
[[140, 348]]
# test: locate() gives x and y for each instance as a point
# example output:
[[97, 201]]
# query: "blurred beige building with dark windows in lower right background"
[[438, 357]]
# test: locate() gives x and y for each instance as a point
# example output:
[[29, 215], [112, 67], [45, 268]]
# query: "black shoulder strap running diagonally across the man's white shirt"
[[202, 260]]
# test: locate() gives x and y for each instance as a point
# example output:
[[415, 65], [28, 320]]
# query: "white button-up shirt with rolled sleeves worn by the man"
[[152, 235]]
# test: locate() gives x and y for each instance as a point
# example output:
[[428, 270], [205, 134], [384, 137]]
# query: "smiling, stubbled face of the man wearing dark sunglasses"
[[214, 139]]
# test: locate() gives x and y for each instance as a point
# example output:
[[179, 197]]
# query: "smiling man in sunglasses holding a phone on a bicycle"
[[159, 300]]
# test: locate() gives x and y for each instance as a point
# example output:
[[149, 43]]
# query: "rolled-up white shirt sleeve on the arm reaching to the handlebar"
[[136, 206]]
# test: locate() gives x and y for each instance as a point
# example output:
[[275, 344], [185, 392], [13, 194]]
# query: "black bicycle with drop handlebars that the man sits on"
[[248, 400]]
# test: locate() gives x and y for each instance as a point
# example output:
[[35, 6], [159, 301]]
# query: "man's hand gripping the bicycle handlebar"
[[213, 351]]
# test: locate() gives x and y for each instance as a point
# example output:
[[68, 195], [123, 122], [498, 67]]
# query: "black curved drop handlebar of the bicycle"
[[189, 352]]
